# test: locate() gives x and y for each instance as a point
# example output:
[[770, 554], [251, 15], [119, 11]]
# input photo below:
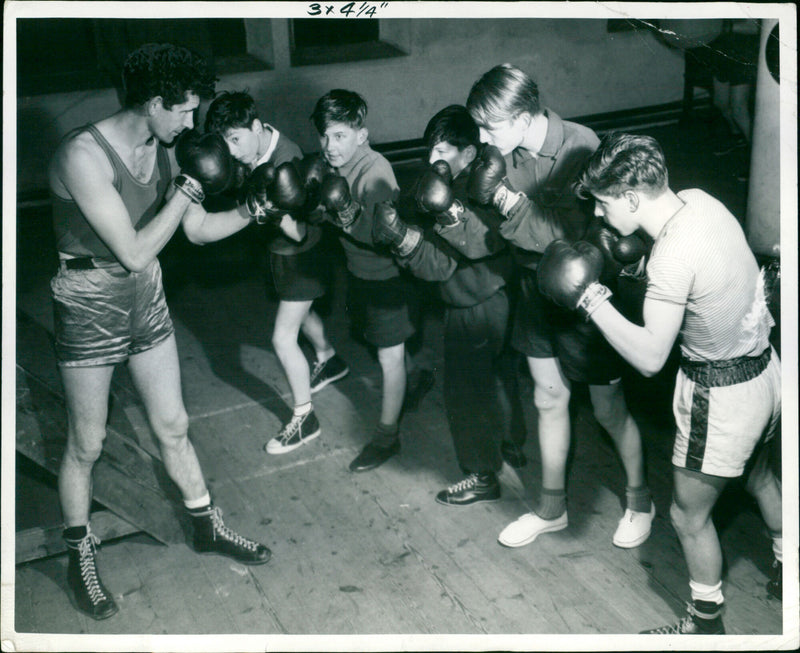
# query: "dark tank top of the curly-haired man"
[[75, 236]]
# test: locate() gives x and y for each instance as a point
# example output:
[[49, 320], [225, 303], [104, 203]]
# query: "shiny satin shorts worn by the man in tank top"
[[105, 315]]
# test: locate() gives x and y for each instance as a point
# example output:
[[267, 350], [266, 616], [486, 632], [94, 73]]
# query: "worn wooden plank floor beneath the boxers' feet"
[[373, 554]]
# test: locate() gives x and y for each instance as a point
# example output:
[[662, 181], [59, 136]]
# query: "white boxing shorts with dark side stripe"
[[719, 426]]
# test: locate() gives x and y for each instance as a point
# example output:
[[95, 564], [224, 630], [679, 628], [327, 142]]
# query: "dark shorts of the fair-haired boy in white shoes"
[[543, 330]]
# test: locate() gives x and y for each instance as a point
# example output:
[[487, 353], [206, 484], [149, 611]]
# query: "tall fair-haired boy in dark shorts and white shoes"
[[525, 173]]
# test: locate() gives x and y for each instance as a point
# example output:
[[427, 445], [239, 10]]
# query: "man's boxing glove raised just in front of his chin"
[[204, 159]]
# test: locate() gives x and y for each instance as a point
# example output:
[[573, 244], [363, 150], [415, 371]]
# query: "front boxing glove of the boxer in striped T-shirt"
[[568, 275]]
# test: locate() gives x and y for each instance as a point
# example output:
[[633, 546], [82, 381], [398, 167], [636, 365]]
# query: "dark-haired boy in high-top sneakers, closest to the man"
[[299, 265]]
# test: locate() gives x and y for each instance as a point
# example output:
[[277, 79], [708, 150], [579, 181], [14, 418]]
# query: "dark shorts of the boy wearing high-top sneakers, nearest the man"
[[302, 276]]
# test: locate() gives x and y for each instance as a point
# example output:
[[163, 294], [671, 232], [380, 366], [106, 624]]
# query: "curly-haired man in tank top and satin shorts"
[[109, 182]]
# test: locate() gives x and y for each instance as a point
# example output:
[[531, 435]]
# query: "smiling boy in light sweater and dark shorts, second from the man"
[[361, 179]]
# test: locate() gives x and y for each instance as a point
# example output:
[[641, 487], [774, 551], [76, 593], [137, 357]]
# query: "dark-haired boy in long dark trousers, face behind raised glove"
[[480, 393]]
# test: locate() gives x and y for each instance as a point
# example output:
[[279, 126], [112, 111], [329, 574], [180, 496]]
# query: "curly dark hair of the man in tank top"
[[165, 70]]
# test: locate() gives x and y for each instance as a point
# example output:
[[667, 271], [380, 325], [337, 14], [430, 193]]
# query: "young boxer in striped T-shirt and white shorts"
[[704, 287]]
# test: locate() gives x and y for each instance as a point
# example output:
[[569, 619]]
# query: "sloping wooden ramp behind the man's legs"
[[129, 478]]
